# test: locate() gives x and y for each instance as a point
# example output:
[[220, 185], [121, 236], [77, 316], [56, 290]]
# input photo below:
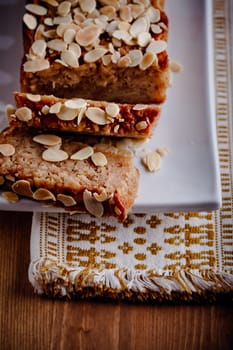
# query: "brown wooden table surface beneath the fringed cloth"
[[32, 322]]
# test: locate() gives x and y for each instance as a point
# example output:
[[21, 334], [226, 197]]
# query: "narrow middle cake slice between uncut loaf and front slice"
[[84, 116]]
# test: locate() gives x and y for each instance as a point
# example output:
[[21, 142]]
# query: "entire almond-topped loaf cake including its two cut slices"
[[91, 69]]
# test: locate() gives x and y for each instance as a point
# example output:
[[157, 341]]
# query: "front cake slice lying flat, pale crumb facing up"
[[64, 172]]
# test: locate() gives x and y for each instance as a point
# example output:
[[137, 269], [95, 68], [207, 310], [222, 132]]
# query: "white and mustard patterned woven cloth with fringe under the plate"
[[169, 256]]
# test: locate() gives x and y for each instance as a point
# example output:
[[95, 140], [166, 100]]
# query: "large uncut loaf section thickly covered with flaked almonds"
[[105, 50]]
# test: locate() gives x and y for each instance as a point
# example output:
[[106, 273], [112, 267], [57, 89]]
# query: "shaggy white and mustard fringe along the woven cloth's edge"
[[62, 281]]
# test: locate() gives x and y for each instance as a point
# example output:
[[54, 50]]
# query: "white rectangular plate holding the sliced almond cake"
[[189, 175]]
